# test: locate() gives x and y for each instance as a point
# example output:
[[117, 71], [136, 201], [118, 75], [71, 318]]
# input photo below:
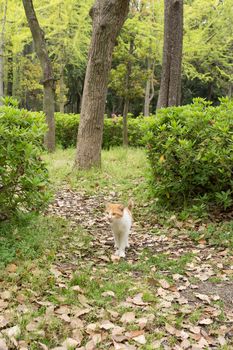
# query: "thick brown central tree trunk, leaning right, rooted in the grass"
[[108, 18]]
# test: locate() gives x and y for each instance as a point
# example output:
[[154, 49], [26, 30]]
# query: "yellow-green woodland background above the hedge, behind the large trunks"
[[206, 61]]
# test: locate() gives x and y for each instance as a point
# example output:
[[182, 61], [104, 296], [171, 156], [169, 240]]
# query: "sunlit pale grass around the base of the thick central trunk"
[[123, 170]]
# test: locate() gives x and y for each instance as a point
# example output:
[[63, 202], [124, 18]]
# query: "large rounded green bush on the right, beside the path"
[[190, 149]]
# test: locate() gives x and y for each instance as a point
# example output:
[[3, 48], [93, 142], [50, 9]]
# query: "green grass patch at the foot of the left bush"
[[28, 236]]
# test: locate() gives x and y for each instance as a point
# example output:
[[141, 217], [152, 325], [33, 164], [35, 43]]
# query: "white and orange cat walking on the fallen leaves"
[[120, 218]]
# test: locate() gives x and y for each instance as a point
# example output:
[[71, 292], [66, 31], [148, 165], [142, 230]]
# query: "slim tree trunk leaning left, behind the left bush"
[[48, 78]]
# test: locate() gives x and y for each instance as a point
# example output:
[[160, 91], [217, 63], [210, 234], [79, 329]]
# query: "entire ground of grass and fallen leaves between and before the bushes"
[[61, 287]]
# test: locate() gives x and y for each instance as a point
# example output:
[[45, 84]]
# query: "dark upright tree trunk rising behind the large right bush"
[[170, 86]]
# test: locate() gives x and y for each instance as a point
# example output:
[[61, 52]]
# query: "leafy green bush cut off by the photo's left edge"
[[23, 175]]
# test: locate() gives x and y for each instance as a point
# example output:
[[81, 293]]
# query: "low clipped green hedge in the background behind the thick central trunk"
[[67, 130]]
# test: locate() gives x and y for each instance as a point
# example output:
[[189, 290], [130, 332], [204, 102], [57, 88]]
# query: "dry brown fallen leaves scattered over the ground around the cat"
[[204, 309]]
